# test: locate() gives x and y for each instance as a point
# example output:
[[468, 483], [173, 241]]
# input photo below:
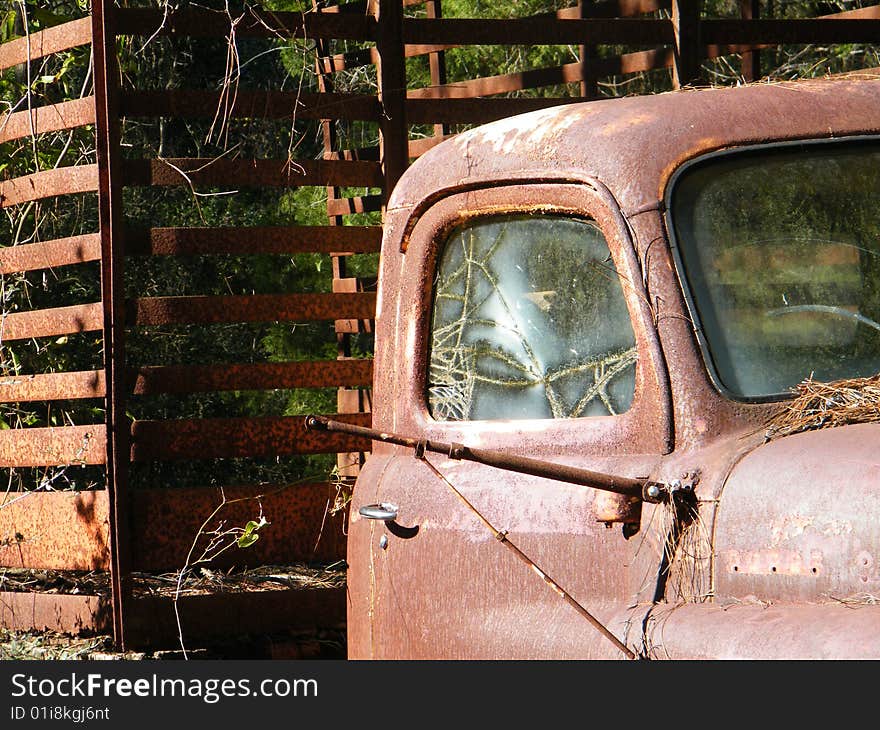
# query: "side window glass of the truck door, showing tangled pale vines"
[[529, 321]]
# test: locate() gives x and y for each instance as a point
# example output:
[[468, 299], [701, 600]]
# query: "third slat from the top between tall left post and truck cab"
[[252, 173]]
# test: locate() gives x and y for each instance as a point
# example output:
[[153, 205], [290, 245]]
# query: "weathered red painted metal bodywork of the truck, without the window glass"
[[789, 524]]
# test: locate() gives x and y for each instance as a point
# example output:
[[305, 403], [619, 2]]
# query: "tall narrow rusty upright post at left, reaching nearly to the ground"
[[110, 221]]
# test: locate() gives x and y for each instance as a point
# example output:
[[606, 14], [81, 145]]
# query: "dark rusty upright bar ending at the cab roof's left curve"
[[393, 129]]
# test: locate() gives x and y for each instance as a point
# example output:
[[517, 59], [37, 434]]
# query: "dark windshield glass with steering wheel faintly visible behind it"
[[781, 252]]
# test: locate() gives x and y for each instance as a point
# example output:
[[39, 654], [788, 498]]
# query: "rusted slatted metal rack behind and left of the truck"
[[125, 530]]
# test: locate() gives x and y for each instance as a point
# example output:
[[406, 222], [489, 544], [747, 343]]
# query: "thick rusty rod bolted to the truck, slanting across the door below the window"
[[639, 488]]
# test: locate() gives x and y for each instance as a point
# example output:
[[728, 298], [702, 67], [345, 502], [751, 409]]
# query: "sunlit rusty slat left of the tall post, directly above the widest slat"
[[53, 446]]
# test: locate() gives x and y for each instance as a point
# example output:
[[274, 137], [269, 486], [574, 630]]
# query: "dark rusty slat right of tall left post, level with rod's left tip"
[[229, 438]]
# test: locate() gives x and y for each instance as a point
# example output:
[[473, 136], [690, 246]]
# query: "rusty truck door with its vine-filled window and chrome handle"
[[515, 320]]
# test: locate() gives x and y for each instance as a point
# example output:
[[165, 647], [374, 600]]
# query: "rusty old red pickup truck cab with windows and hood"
[[592, 321]]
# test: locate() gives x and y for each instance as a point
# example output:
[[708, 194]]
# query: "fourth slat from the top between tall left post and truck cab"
[[256, 240]]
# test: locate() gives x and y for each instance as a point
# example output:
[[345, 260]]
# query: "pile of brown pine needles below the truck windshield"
[[825, 405]]
